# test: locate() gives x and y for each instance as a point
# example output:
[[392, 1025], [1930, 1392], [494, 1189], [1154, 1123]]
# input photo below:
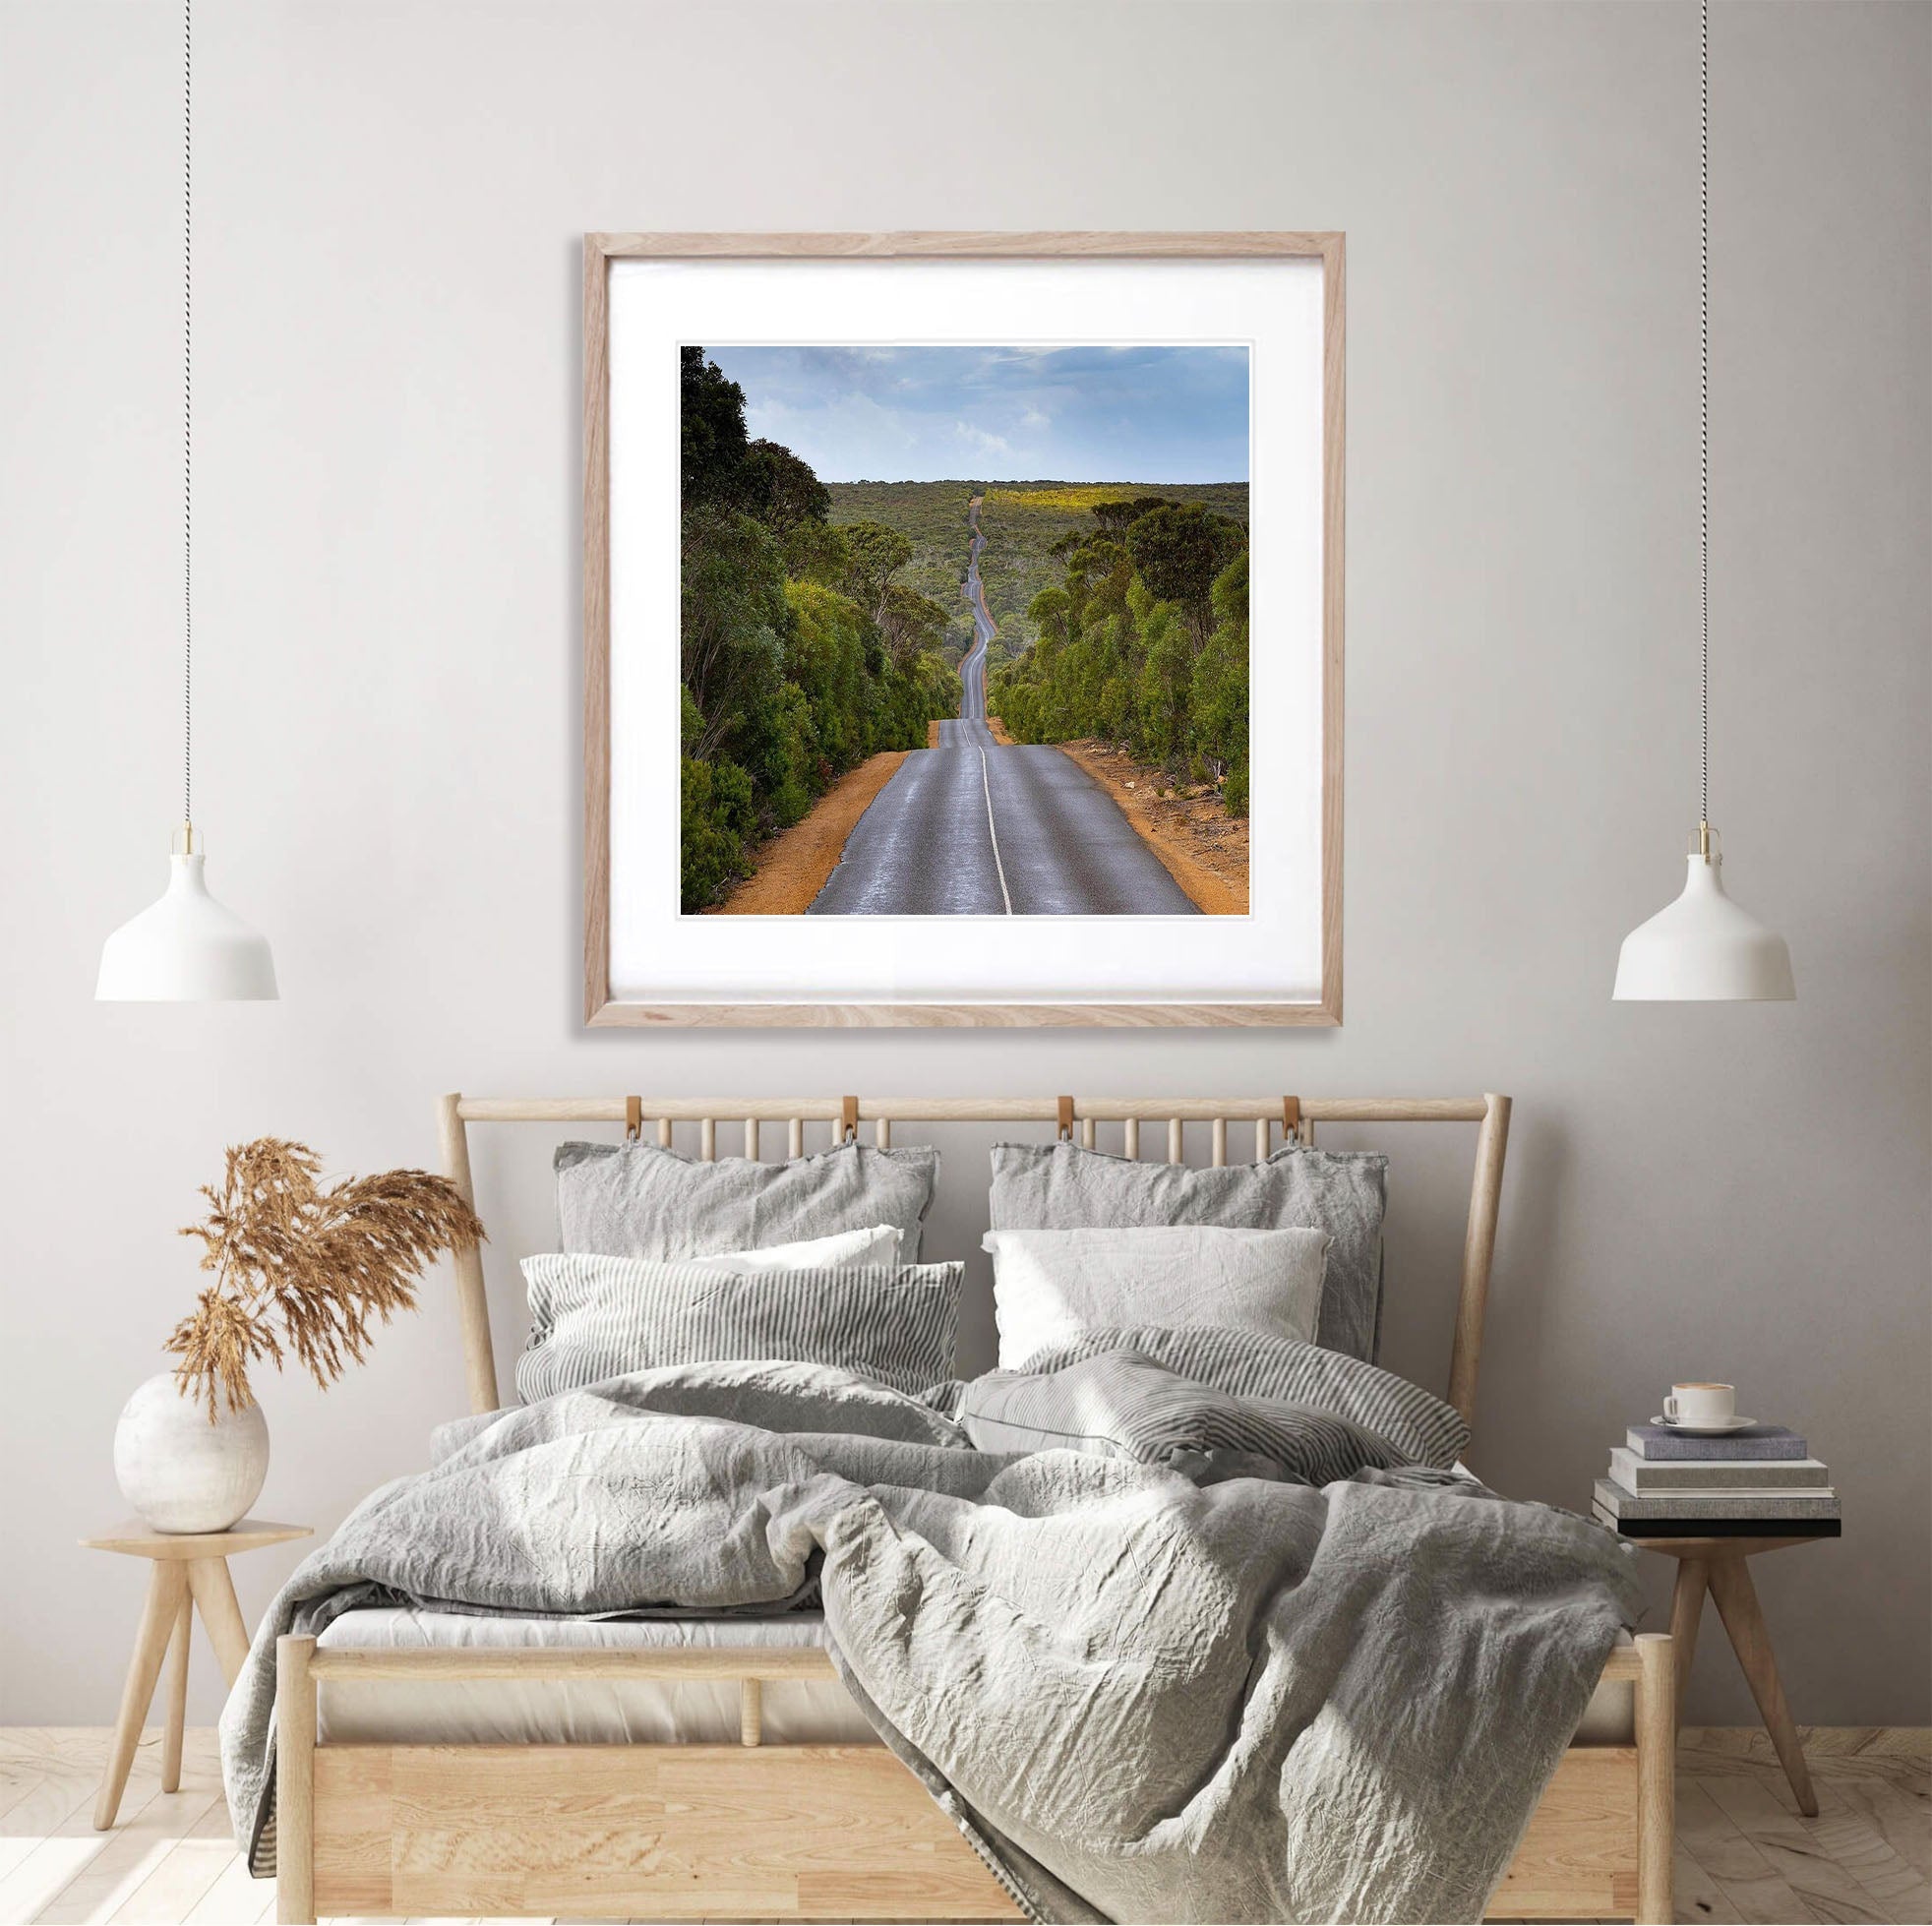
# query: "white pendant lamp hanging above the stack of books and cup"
[[1705, 948]]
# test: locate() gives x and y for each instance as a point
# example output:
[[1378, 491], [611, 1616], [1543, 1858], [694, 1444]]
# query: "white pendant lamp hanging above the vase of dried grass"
[[186, 948]]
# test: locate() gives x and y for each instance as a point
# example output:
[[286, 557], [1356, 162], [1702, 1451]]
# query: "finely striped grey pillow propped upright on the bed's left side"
[[594, 1318]]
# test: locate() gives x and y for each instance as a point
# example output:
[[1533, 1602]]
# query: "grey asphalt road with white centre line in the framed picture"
[[979, 828]]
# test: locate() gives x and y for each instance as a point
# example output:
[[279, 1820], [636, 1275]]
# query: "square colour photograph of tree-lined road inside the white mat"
[[909, 693]]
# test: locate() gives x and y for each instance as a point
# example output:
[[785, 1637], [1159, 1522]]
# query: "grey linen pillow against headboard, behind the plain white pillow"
[[1064, 1187]]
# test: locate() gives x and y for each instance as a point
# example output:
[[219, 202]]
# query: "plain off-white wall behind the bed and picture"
[[387, 635]]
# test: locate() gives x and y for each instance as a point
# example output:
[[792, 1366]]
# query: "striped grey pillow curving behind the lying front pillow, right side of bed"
[[1421, 1427]]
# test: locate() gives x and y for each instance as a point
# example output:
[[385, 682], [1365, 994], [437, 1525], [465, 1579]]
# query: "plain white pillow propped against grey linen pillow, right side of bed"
[[1054, 1286]]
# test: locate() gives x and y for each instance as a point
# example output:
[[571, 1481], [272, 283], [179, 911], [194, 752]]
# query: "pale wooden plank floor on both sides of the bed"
[[1744, 1852]]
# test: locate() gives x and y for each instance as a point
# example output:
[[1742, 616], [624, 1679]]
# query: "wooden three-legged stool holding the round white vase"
[[190, 1572]]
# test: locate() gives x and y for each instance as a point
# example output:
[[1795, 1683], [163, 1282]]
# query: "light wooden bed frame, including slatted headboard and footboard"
[[696, 1832]]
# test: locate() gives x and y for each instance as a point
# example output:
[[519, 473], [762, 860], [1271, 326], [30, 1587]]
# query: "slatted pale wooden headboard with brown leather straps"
[[1293, 1118]]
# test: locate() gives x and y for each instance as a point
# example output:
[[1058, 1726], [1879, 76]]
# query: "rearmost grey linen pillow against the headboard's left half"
[[639, 1201]]
